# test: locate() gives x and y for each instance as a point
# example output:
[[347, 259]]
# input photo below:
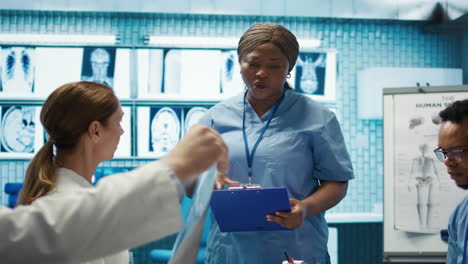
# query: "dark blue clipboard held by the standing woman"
[[246, 209]]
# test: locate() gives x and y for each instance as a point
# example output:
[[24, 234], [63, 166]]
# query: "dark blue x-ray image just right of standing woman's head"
[[310, 73]]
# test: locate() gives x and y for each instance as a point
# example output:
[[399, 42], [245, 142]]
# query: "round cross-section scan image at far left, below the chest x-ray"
[[18, 129]]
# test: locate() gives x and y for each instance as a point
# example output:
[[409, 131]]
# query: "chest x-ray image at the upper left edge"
[[17, 67]]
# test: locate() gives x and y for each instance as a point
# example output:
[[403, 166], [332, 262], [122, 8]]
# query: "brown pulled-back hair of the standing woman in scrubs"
[[262, 33]]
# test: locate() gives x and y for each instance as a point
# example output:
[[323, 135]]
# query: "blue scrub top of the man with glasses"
[[458, 228]]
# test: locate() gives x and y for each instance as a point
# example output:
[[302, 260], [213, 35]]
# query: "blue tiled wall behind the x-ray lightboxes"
[[360, 44]]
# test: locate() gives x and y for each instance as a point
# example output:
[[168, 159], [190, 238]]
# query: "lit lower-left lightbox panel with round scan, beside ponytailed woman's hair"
[[21, 132]]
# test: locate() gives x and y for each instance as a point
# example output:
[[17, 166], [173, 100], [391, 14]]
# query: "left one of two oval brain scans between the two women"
[[164, 130]]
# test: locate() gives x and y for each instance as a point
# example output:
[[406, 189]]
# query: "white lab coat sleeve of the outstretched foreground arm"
[[123, 211]]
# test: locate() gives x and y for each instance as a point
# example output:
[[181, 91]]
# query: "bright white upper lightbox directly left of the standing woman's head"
[[188, 74]]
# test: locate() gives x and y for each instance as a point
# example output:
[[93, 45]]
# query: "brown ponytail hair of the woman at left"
[[66, 115]]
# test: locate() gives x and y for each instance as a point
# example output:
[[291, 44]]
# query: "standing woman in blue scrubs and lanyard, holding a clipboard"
[[279, 138]]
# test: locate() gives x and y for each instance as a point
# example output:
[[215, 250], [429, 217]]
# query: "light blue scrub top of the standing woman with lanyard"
[[302, 145]]
